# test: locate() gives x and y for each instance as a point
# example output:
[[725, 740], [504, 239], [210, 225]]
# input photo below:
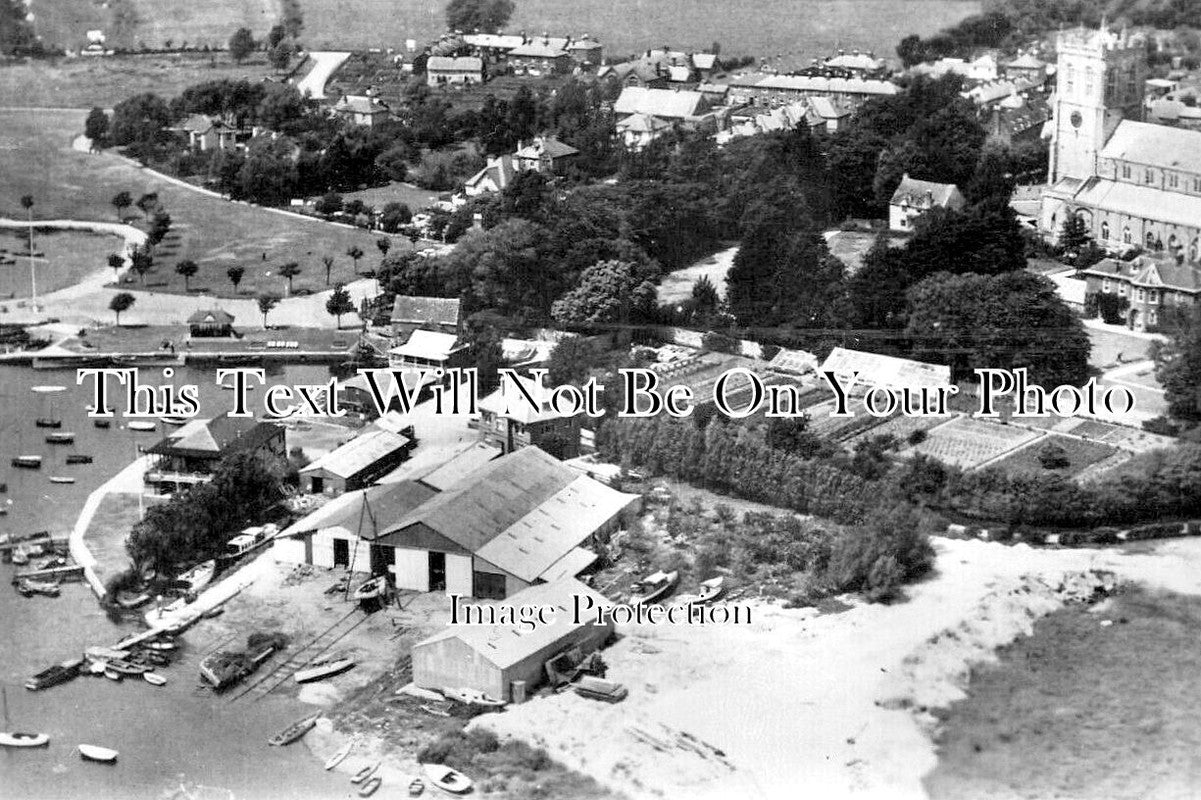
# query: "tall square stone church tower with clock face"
[[1100, 82]]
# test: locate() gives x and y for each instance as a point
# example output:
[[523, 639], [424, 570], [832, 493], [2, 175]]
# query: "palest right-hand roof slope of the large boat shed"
[[559, 526]]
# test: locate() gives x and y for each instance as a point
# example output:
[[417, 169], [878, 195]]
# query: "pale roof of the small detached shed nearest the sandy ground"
[[504, 646]]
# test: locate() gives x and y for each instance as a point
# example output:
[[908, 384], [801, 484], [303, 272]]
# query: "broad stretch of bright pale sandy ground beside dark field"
[[839, 705]]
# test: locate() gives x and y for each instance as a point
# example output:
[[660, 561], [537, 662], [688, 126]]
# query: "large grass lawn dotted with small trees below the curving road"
[[37, 159]]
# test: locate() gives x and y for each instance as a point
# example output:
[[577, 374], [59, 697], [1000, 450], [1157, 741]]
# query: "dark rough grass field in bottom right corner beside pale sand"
[[1079, 711]]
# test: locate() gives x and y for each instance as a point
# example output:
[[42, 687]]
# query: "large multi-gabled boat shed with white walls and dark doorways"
[[512, 522]]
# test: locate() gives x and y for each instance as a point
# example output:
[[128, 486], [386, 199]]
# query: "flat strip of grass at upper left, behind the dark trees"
[[83, 83]]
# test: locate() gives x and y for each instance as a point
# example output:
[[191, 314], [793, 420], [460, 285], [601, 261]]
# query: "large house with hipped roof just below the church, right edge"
[[1151, 285]]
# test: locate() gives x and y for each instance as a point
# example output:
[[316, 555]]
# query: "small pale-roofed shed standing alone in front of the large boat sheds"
[[509, 661]]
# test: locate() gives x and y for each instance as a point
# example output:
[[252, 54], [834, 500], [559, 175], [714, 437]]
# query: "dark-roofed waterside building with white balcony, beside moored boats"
[[192, 455]]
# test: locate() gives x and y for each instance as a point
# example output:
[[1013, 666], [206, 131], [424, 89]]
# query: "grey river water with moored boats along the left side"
[[171, 736]]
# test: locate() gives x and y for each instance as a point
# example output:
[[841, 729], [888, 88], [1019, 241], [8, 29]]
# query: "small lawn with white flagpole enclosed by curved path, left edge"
[[63, 259]]
